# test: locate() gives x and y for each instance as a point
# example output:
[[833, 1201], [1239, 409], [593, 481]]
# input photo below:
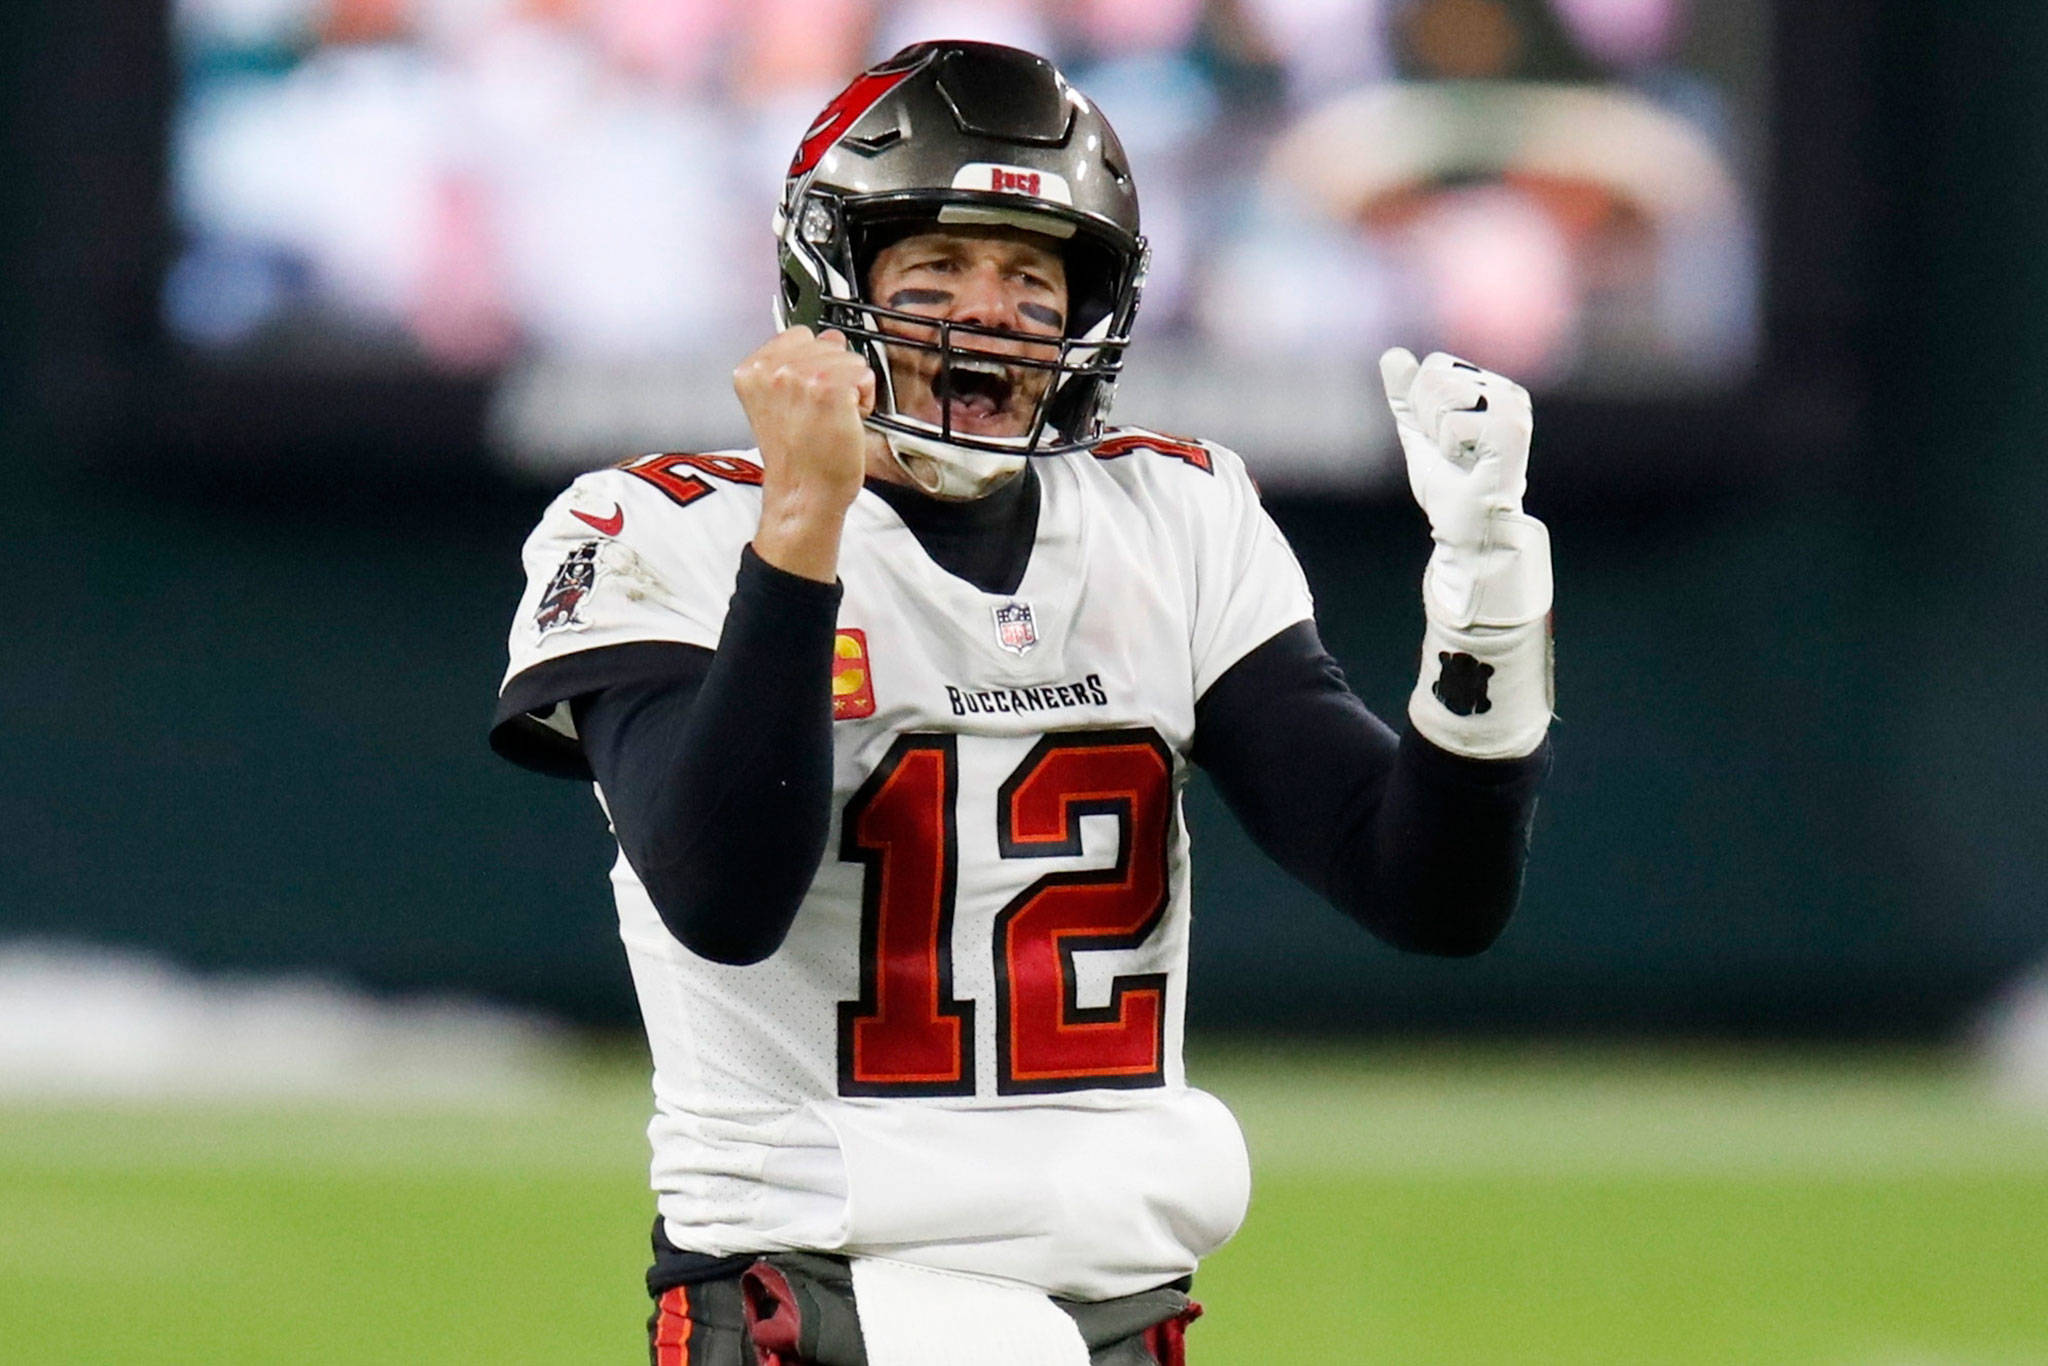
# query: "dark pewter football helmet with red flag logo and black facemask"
[[980, 136]]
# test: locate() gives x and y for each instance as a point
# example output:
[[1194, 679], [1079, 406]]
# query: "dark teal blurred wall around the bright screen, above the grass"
[[257, 622]]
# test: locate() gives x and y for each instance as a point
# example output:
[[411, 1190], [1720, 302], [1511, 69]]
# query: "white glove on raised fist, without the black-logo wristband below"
[[1467, 441]]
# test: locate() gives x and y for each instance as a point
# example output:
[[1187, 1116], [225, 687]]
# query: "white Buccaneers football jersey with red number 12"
[[968, 1054]]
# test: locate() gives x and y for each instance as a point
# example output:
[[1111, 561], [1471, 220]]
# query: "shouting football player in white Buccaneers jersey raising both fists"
[[892, 716]]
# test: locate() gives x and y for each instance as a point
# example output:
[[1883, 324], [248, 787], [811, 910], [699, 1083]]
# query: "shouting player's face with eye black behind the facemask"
[[998, 278]]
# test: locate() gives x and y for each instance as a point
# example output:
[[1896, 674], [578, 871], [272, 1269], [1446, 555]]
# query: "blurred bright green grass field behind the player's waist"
[[1412, 1205]]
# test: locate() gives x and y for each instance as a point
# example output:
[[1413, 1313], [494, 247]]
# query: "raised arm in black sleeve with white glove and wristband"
[[1424, 837]]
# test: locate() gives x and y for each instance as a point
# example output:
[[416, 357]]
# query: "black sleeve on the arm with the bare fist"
[[720, 777]]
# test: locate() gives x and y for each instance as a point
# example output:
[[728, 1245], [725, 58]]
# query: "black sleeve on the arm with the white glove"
[[1418, 845]]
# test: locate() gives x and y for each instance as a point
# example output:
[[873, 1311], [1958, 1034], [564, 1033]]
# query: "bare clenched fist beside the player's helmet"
[[804, 398]]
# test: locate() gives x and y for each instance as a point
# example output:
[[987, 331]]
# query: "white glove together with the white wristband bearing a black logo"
[[1486, 663]]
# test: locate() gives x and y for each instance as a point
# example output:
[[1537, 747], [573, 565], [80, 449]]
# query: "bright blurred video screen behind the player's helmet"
[[574, 196]]
